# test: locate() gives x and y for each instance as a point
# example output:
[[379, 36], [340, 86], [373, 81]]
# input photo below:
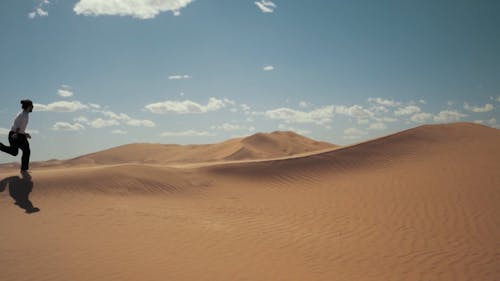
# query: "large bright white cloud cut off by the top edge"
[[141, 9]]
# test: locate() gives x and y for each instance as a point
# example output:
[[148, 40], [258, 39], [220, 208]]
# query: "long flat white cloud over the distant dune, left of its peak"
[[186, 106]]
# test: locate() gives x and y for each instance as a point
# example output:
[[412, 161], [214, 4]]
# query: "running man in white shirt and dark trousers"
[[18, 138]]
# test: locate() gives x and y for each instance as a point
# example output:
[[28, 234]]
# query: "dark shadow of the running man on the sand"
[[19, 190]]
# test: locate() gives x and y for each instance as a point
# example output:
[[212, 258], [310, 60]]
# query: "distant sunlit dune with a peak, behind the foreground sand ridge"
[[257, 146]]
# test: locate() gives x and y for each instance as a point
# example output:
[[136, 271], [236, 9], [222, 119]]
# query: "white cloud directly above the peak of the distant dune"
[[318, 116]]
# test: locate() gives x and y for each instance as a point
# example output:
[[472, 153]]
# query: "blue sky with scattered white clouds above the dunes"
[[109, 73]]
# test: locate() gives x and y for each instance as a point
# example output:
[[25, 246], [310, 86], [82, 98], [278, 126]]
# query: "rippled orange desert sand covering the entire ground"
[[421, 204]]
